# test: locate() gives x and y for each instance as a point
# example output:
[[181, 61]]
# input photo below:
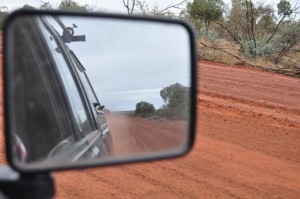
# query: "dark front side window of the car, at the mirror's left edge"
[[40, 127]]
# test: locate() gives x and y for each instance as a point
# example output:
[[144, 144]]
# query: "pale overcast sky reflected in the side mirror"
[[131, 61]]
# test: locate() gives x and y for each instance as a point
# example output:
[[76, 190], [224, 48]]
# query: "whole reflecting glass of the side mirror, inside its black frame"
[[85, 90]]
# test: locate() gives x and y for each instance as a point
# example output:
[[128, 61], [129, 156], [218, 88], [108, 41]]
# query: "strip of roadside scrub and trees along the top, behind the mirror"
[[255, 34]]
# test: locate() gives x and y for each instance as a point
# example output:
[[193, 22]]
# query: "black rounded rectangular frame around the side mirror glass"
[[193, 94]]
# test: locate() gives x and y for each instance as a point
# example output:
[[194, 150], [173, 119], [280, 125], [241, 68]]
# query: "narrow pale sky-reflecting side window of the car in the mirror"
[[71, 88]]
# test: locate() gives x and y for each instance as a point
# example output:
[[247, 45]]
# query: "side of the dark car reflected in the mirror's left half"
[[57, 98]]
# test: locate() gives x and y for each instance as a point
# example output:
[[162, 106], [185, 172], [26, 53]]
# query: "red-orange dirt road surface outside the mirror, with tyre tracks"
[[247, 146]]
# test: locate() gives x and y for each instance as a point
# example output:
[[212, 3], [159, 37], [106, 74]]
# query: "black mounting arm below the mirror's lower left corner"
[[31, 185]]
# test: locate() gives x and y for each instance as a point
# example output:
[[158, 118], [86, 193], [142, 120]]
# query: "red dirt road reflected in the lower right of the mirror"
[[132, 135]]
